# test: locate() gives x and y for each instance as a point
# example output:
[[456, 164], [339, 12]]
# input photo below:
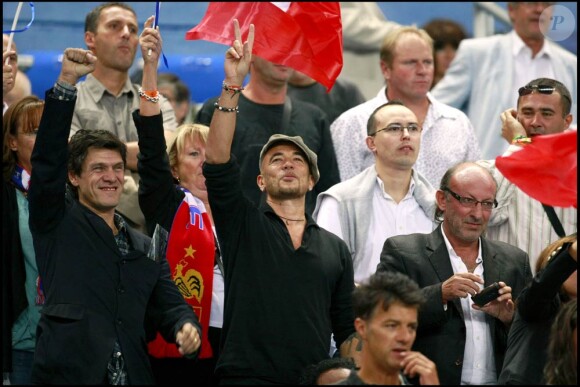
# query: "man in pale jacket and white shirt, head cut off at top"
[[487, 72]]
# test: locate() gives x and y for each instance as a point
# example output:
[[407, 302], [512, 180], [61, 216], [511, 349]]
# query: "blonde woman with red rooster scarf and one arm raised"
[[172, 195]]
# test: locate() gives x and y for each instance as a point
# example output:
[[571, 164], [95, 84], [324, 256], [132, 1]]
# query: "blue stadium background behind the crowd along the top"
[[58, 25]]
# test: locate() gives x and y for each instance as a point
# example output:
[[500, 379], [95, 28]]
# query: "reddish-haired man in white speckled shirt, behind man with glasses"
[[407, 66]]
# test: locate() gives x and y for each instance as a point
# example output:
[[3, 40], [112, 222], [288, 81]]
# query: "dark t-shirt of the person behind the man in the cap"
[[257, 122]]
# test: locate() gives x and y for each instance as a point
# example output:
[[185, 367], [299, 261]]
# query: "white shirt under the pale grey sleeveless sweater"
[[388, 219]]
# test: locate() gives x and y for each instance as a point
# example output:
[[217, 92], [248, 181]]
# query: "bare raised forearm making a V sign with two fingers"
[[223, 123]]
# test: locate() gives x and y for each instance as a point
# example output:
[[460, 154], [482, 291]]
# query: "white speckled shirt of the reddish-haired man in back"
[[447, 138]]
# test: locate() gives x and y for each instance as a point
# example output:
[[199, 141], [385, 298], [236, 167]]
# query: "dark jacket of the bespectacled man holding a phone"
[[441, 333]]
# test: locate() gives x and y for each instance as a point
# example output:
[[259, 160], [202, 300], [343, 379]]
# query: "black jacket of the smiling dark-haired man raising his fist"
[[94, 294]]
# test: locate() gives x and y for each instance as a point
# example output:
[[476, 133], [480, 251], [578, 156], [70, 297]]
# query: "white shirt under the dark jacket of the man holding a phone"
[[478, 359]]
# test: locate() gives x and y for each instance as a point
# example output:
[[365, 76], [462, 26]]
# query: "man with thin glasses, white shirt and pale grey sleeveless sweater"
[[388, 198]]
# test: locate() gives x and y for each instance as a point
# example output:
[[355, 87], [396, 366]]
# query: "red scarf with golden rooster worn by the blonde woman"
[[191, 255]]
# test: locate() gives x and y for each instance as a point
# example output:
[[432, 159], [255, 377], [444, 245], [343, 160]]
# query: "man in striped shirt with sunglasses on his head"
[[543, 108]]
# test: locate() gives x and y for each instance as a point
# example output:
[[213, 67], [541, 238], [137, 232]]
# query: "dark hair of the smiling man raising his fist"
[[83, 140]]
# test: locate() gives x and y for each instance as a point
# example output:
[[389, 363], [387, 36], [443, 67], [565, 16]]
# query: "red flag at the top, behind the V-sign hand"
[[307, 37]]
